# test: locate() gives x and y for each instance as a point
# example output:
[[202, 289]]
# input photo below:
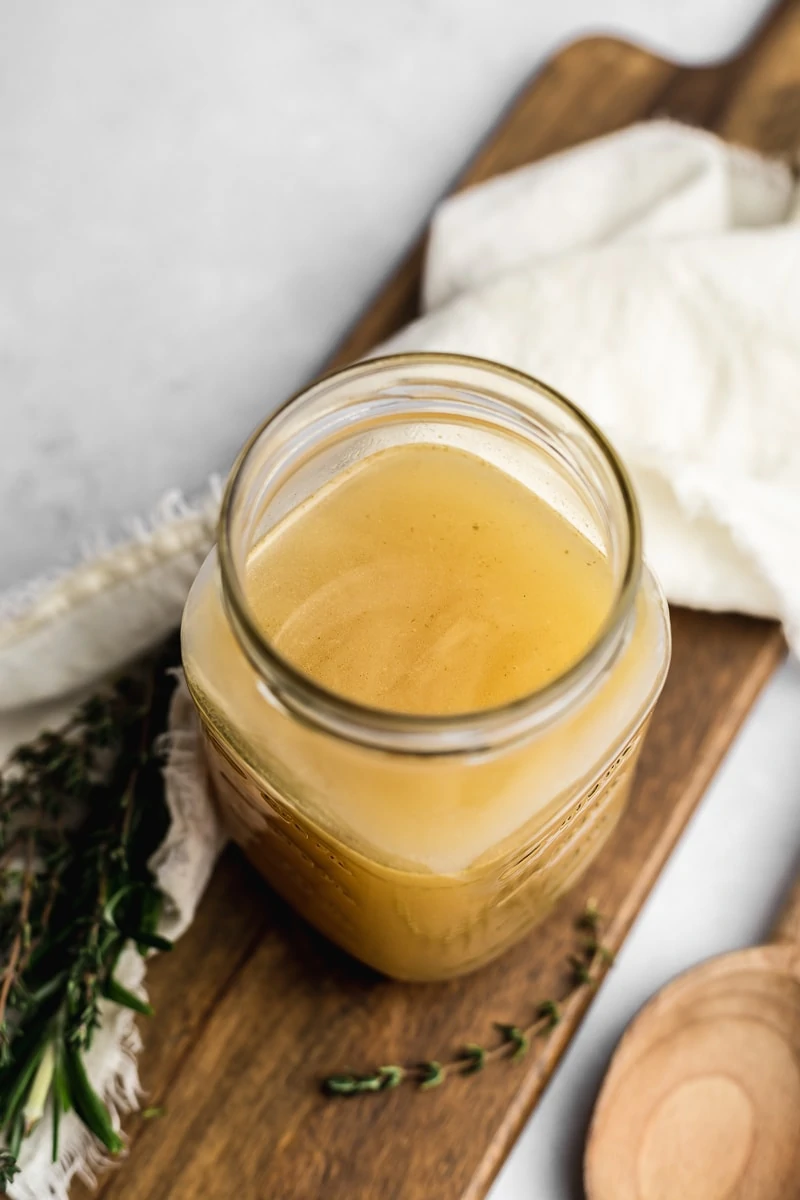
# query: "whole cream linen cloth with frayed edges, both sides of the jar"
[[654, 278]]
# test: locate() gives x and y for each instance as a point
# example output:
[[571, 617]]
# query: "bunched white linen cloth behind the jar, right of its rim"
[[654, 278]]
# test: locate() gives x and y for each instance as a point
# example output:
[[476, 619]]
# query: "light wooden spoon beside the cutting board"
[[702, 1100]]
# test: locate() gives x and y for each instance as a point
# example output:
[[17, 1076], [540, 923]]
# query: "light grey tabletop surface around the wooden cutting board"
[[197, 200]]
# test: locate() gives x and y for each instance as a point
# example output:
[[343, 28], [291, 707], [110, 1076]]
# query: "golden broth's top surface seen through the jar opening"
[[428, 581]]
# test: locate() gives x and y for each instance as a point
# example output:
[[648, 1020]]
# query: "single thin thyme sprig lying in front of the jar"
[[514, 1041]]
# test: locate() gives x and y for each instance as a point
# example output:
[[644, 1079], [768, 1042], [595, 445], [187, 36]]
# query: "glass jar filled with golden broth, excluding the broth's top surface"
[[424, 845]]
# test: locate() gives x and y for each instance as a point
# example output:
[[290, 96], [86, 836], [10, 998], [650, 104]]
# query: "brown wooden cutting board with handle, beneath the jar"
[[254, 1007]]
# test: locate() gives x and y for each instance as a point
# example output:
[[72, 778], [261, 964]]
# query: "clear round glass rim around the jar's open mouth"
[[474, 731]]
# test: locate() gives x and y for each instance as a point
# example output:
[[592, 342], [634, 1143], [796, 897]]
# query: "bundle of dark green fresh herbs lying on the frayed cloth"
[[82, 811]]
